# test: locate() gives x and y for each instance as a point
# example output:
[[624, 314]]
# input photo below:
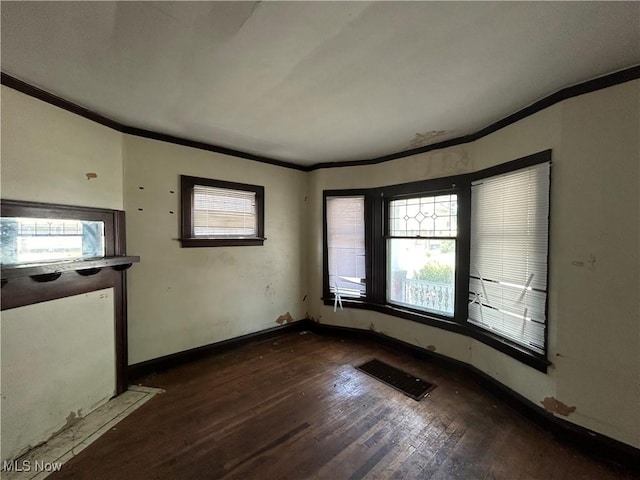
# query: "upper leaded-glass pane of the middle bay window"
[[434, 216]]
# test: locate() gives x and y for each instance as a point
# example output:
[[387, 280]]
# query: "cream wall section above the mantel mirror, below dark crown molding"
[[47, 152]]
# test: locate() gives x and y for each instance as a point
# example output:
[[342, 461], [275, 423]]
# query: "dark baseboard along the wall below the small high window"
[[142, 369]]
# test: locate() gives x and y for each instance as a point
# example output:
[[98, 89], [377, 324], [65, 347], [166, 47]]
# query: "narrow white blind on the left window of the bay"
[[346, 245]]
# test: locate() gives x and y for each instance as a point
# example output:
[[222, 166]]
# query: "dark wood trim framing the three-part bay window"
[[376, 201]]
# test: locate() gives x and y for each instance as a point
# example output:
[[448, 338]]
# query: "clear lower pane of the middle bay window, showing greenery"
[[421, 274]]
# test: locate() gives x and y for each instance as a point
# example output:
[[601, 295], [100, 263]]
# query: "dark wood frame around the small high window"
[[187, 239]]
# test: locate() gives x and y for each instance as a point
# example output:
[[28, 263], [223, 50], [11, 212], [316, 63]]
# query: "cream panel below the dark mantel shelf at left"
[[53, 376]]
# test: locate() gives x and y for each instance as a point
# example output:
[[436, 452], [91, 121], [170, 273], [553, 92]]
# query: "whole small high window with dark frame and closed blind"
[[219, 213]]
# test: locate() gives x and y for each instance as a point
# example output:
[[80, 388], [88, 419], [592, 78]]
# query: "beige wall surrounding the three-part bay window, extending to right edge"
[[594, 314]]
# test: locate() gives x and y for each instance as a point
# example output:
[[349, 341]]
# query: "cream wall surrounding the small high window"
[[182, 298]]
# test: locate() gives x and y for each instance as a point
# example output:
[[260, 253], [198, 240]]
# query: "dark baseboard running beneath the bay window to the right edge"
[[592, 443]]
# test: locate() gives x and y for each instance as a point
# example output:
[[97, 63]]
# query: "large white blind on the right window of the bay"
[[508, 264]]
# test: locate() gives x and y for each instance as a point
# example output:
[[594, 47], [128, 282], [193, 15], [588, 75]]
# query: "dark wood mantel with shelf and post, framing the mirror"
[[28, 284]]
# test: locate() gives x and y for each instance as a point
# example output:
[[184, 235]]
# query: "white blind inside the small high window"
[[223, 212]]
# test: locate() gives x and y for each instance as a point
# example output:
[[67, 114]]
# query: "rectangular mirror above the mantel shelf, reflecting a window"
[[32, 240]]
